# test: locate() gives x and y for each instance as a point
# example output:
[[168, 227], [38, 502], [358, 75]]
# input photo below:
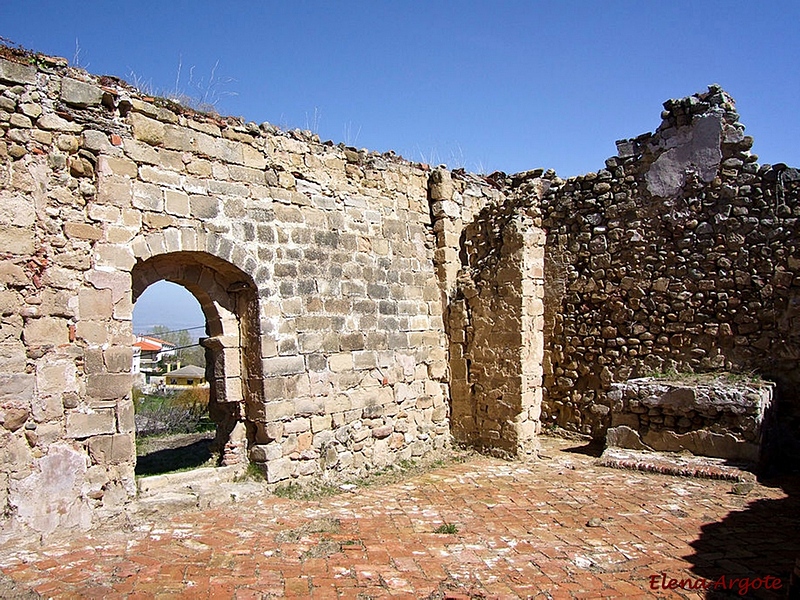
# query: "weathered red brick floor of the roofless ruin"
[[522, 533]]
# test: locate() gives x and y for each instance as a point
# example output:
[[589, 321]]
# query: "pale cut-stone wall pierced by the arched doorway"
[[313, 263]]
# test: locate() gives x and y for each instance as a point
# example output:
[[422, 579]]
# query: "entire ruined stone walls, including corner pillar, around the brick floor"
[[360, 309]]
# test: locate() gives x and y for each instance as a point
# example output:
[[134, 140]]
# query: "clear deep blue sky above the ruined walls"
[[487, 86]]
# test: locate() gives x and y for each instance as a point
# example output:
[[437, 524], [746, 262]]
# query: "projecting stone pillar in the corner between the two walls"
[[492, 257]]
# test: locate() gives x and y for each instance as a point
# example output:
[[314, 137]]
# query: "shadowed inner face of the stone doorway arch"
[[229, 300]]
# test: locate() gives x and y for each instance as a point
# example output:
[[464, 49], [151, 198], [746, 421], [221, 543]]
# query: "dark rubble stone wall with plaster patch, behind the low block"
[[681, 255]]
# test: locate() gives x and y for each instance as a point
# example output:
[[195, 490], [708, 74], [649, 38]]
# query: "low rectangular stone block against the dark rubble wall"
[[711, 417]]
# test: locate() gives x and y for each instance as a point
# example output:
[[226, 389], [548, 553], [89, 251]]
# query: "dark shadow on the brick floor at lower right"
[[751, 544]]
